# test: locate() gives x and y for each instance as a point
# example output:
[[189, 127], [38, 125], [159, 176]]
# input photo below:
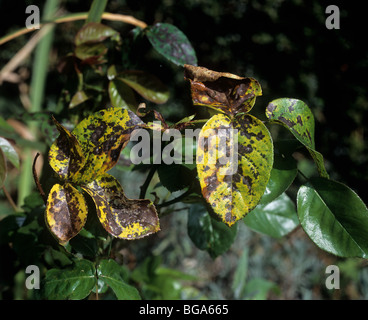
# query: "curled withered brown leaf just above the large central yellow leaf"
[[222, 91]]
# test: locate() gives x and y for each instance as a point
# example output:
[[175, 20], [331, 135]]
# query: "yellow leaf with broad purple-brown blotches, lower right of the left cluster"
[[122, 217]]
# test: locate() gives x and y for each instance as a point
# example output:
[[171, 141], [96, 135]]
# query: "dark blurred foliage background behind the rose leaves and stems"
[[285, 45]]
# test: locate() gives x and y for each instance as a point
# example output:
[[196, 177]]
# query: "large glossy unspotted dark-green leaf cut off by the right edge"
[[334, 217]]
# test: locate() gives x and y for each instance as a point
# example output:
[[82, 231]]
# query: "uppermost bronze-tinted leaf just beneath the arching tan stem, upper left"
[[94, 32]]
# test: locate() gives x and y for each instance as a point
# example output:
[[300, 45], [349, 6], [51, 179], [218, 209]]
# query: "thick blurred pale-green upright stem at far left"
[[39, 73]]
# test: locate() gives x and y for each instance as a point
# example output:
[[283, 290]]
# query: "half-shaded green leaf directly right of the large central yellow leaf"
[[283, 172]]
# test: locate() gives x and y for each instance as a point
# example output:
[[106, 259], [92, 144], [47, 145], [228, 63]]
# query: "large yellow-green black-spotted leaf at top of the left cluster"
[[102, 136]]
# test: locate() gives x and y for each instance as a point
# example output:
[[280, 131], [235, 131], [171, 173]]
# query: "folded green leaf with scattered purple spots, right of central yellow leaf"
[[296, 116]]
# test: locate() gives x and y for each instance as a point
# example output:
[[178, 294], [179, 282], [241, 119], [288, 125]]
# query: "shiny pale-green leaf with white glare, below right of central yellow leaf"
[[275, 219]]
